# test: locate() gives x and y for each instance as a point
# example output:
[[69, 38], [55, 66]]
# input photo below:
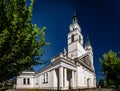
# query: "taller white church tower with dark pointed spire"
[[75, 39]]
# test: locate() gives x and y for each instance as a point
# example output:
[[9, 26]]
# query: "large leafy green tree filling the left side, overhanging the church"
[[21, 41]]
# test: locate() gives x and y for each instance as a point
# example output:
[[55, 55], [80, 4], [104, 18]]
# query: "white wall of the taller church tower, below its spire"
[[76, 48]]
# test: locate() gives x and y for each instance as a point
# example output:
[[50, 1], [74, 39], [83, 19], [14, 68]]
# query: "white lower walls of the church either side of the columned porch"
[[37, 81]]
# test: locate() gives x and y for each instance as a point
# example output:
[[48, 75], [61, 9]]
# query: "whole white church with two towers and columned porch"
[[72, 69]]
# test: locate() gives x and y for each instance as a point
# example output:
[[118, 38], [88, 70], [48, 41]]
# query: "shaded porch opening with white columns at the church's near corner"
[[64, 78]]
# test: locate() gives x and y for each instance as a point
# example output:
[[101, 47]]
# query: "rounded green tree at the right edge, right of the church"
[[110, 64]]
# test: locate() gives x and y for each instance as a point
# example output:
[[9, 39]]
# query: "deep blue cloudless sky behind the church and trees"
[[99, 19]]
